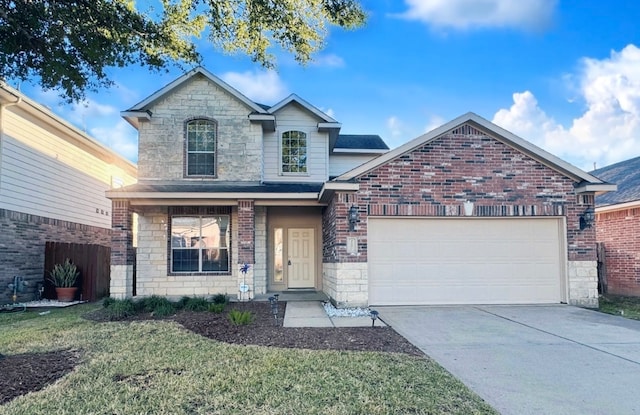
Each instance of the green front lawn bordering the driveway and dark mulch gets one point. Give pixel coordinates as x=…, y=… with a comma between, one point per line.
x=158, y=367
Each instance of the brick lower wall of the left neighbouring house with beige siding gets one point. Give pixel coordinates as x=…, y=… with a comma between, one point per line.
x=22, y=245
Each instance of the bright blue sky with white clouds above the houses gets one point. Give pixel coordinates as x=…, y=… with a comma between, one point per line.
x=562, y=74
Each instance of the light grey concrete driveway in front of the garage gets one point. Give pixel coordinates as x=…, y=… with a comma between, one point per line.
x=532, y=359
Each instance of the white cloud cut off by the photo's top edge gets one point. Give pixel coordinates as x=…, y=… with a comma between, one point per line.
x=464, y=14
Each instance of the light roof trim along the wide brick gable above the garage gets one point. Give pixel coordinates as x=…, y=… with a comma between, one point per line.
x=587, y=182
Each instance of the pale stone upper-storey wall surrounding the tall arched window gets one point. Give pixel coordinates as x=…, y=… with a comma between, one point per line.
x=161, y=139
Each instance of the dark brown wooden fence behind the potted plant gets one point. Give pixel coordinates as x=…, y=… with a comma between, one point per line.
x=93, y=262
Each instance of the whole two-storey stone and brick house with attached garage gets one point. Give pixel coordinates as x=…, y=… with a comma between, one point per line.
x=467, y=213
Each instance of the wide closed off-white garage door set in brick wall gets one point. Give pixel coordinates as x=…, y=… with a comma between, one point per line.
x=465, y=261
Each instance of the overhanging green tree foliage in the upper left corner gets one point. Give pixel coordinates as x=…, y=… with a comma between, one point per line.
x=70, y=44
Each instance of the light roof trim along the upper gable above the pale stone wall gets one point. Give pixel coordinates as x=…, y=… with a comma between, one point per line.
x=141, y=109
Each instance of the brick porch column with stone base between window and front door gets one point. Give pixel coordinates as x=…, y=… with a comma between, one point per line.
x=246, y=248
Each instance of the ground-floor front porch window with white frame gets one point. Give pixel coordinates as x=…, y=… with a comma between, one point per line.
x=200, y=244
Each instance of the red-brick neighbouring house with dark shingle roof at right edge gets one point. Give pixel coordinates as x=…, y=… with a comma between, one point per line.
x=618, y=226
